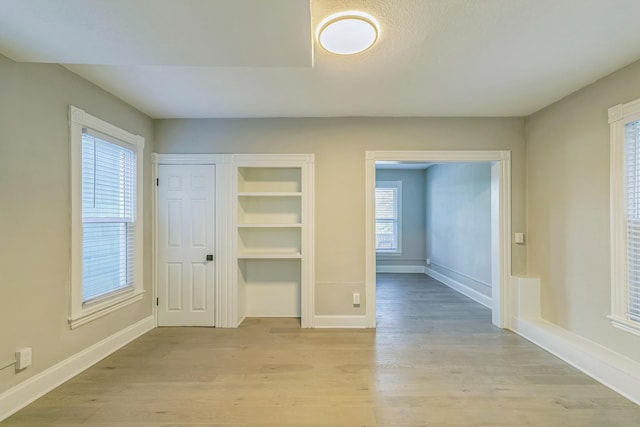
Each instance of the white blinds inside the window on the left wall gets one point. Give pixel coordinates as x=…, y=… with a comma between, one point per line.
x=108, y=215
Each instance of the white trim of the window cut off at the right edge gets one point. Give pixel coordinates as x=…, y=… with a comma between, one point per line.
x=619, y=116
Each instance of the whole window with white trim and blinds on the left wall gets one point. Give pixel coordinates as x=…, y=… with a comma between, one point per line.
x=106, y=194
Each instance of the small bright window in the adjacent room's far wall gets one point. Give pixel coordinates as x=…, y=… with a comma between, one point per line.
x=388, y=213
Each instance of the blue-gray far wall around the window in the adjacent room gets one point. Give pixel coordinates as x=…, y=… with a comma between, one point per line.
x=413, y=214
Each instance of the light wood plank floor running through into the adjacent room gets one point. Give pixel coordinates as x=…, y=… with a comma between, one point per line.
x=435, y=360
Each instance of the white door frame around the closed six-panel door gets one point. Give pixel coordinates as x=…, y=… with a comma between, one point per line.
x=222, y=173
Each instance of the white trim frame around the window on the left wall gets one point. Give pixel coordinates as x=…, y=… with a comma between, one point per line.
x=80, y=313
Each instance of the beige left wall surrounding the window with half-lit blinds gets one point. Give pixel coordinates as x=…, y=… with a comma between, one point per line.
x=35, y=213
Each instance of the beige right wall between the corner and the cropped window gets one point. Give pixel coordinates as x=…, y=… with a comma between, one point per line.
x=568, y=209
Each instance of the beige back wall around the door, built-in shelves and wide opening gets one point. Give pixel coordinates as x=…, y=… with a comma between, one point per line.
x=339, y=145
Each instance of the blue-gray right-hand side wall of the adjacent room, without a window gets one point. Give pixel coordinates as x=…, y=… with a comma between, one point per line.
x=459, y=223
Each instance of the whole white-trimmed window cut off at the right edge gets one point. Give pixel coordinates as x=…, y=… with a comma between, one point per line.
x=625, y=216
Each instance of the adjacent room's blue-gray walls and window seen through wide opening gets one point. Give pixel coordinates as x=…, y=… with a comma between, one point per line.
x=436, y=219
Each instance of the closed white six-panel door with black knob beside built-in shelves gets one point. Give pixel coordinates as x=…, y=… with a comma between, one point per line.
x=186, y=234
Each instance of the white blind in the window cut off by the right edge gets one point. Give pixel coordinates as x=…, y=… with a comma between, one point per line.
x=632, y=196
